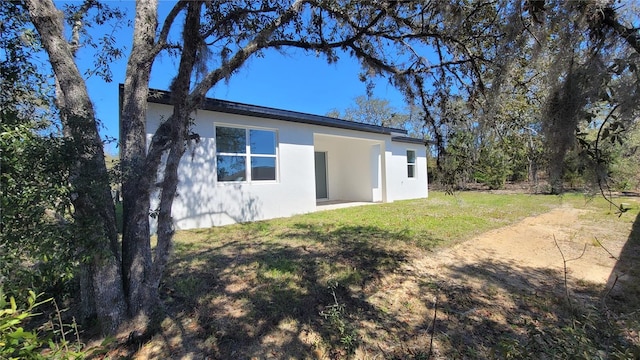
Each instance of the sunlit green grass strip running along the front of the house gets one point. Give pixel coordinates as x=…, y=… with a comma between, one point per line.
x=440, y=220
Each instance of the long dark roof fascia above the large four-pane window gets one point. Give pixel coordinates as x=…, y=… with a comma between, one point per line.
x=230, y=107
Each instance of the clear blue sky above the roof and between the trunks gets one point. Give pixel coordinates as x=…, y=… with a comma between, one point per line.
x=293, y=81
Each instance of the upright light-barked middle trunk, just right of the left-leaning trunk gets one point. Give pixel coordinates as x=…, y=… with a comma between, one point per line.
x=138, y=179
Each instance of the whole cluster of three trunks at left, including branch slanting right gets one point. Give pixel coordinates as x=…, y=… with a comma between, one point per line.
x=139, y=274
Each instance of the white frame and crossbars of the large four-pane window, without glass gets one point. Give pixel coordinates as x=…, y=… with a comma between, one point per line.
x=247, y=154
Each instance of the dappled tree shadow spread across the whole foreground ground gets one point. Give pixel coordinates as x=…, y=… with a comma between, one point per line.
x=271, y=295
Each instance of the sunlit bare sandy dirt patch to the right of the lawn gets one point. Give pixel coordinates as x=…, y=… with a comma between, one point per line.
x=530, y=244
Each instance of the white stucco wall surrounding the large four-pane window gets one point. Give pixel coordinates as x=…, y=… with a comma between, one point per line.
x=203, y=201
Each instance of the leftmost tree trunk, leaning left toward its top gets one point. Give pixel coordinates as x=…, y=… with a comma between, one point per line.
x=94, y=212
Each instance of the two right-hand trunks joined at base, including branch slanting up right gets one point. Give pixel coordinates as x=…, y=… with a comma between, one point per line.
x=142, y=272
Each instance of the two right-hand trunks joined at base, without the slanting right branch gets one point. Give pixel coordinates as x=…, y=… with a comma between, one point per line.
x=141, y=165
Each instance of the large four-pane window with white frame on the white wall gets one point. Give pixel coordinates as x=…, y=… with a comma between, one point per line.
x=245, y=154
